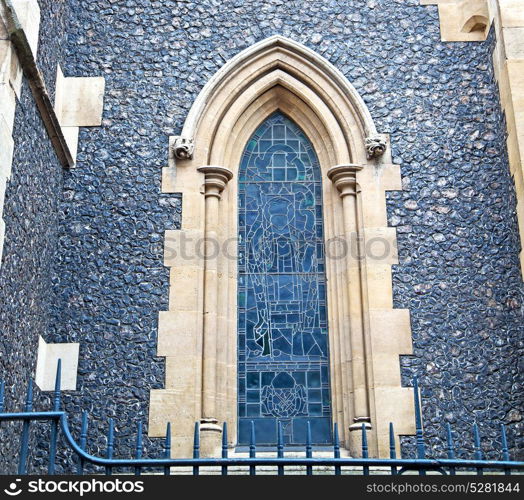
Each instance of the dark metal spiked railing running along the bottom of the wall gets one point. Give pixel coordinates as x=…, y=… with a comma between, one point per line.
x=225, y=464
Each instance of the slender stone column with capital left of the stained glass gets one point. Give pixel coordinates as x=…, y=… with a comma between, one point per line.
x=216, y=179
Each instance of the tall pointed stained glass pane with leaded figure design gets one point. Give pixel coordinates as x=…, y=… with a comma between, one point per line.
x=283, y=356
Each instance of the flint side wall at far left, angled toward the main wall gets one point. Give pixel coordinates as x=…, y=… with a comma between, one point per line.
x=31, y=237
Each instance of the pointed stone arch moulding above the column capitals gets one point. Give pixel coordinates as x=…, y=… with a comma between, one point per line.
x=280, y=62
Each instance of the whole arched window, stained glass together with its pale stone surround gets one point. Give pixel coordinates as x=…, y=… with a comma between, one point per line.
x=228, y=322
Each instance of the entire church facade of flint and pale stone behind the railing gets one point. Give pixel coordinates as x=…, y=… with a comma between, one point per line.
x=272, y=212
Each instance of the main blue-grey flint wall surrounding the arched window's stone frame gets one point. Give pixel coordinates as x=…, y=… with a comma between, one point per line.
x=458, y=242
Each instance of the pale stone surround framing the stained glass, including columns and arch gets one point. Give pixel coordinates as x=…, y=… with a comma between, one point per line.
x=198, y=334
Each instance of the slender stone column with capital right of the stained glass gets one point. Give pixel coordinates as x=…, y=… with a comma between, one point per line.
x=344, y=179
